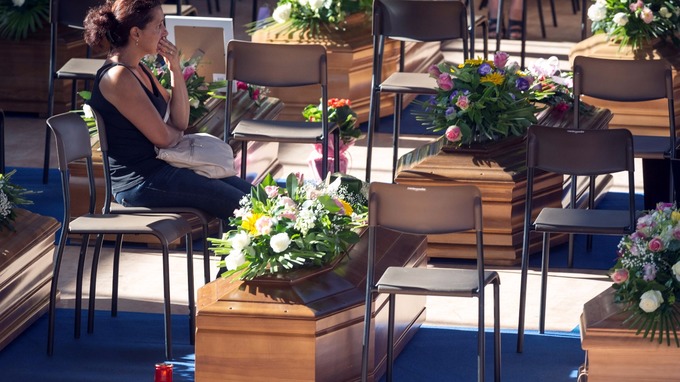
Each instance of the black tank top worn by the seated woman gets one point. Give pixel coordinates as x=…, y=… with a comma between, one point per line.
x=131, y=154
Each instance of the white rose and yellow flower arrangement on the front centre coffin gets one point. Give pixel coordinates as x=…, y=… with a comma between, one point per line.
x=303, y=224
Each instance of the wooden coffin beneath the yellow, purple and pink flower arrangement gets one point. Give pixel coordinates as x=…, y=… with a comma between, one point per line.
x=499, y=171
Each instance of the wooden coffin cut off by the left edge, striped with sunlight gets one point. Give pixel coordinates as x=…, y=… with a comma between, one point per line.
x=25, y=272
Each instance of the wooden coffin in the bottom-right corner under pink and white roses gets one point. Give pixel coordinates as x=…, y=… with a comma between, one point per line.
x=615, y=353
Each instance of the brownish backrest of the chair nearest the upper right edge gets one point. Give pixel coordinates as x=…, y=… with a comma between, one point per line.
x=645, y=80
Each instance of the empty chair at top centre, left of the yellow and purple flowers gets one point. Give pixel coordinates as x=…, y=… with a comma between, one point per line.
x=411, y=20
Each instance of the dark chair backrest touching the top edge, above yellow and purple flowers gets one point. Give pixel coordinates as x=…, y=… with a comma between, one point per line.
x=420, y=20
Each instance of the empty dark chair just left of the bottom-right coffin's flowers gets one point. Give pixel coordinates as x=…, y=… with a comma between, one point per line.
x=572, y=153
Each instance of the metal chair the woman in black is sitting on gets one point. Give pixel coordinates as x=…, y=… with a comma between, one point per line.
x=202, y=218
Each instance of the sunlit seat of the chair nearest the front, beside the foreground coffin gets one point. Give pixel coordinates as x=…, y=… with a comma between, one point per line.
x=433, y=282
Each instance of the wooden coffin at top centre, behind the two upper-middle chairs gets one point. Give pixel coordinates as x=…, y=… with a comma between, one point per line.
x=350, y=66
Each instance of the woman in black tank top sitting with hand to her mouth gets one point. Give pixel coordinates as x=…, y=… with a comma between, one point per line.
x=135, y=108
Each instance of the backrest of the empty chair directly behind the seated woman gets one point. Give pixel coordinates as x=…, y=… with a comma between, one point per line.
x=72, y=139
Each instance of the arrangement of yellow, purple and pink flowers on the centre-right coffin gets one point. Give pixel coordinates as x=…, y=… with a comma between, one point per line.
x=480, y=101
